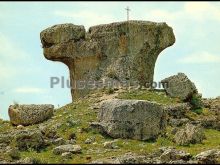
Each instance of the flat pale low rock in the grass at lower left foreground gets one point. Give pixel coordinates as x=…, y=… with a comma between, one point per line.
x=67, y=148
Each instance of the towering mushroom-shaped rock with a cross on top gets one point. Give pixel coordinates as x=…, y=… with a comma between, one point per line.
x=122, y=50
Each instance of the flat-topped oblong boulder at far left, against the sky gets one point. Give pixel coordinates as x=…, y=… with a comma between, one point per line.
x=29, y=114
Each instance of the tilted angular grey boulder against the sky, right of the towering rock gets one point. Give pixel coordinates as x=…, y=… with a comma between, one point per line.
x=179, y=86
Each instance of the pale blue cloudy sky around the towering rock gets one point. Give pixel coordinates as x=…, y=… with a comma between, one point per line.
x=25, y=73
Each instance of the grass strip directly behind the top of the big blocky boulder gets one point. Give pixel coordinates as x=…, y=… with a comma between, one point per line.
x=149, y=95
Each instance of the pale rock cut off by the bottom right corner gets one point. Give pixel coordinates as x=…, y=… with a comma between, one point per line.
x=209, y=157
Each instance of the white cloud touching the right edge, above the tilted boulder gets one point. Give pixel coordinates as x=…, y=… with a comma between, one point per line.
x=201, y=58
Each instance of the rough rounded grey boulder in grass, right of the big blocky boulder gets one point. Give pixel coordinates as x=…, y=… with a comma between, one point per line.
x=191, y=134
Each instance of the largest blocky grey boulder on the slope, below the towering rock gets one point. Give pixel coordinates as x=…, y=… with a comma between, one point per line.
x=135, y=119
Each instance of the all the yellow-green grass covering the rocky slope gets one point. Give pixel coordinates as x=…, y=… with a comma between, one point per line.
x=75, y=118
